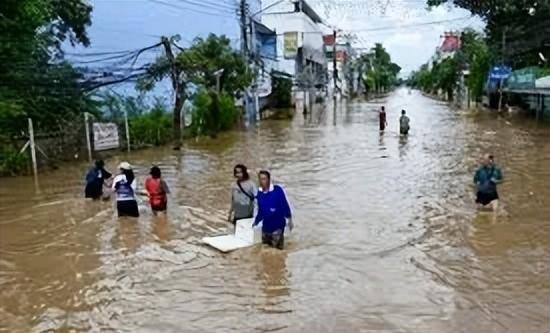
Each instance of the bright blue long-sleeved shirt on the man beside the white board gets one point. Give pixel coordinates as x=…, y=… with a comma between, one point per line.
x=273, y=210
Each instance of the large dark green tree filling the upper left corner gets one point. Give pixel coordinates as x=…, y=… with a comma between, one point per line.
x=36, y=82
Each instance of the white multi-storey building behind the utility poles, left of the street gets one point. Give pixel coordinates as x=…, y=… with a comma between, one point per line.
x=299, y=37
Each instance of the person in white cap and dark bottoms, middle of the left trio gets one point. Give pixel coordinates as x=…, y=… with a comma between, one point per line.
x=124, y=185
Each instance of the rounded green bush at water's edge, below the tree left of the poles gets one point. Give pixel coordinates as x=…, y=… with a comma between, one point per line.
x=213, y=113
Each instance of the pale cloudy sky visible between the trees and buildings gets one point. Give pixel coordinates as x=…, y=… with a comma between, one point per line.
x=131, y=24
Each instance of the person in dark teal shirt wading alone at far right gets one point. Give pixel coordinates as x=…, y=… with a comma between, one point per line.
x=486, y=179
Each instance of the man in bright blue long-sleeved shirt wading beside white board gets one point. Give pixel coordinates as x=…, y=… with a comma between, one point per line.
x=273, y=211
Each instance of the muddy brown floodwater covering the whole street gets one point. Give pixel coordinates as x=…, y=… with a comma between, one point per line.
x=387, y=240
